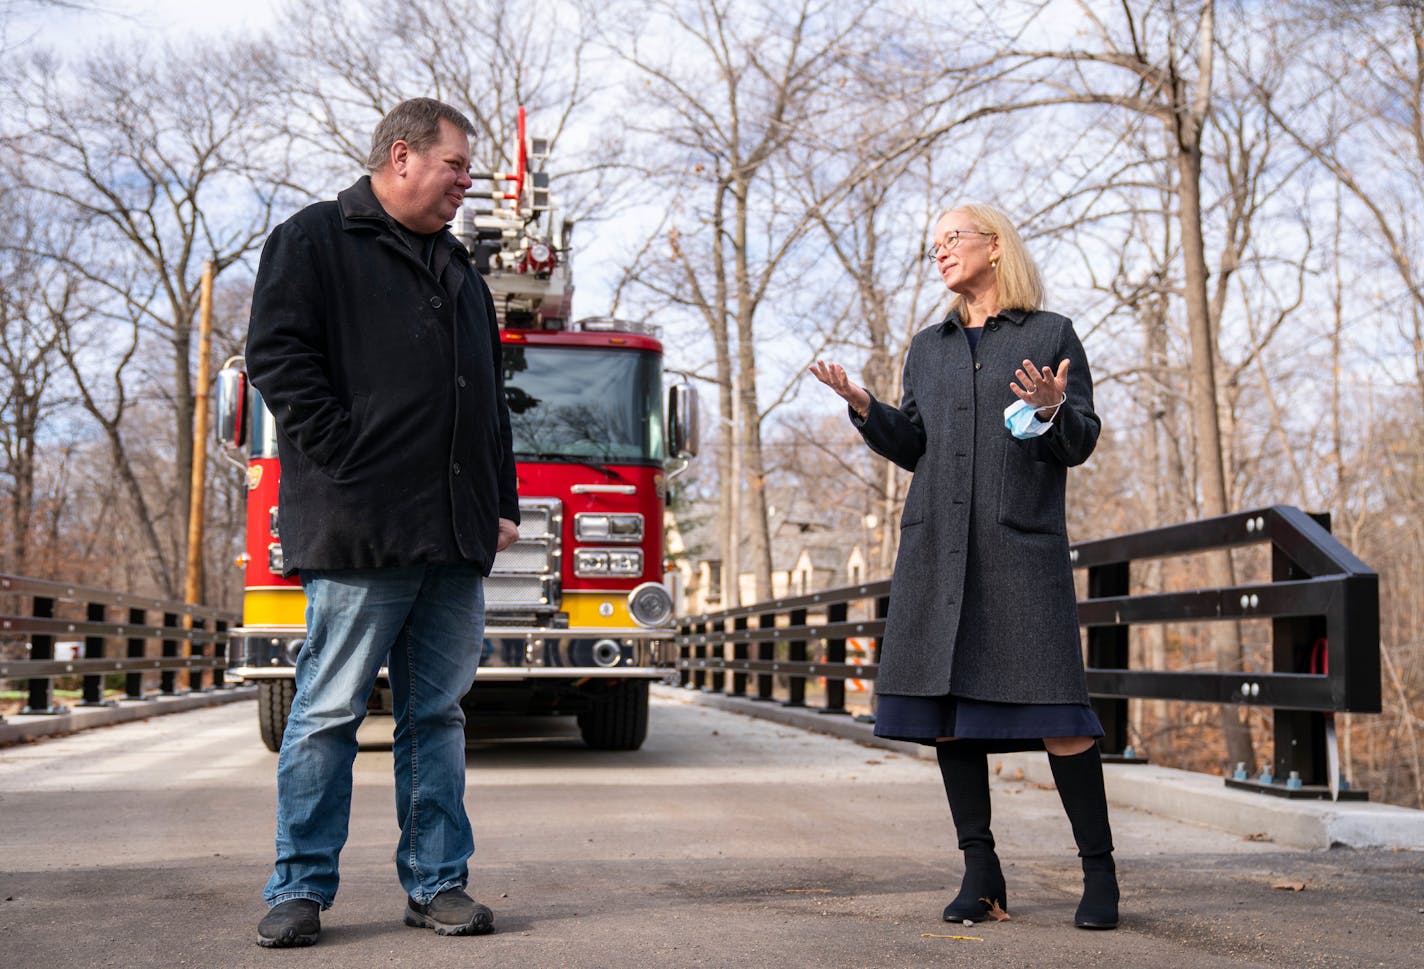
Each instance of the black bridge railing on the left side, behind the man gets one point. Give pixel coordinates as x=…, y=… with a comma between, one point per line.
x=122, y=635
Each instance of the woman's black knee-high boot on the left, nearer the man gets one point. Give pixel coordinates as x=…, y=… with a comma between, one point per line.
x=966, y=783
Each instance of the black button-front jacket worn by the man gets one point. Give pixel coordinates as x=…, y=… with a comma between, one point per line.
x=385, y=381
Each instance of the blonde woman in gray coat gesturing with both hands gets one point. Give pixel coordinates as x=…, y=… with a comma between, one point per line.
x=982, y=649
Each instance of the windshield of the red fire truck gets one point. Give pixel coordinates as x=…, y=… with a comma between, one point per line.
x=585, y=403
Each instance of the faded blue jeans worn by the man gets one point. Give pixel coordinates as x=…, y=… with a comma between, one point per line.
x=426, y=623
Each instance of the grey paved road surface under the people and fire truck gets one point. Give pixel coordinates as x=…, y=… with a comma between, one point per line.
x=727, y=841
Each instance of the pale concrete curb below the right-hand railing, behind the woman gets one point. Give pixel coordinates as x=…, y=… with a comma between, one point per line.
x=1184, y=796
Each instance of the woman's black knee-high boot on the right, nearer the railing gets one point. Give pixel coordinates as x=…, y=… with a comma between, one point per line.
x=1080, y=787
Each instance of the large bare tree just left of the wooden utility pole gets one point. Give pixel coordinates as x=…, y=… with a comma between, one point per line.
x=160, y=160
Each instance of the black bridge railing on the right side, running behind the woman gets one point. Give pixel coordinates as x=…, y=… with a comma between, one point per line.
x=1324, y=606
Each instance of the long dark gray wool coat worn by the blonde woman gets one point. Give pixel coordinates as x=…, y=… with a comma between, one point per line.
x=982, y=603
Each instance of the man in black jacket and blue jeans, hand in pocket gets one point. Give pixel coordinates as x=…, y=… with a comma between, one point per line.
x=375, y=346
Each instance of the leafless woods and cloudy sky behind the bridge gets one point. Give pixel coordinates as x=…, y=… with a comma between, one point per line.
x=1228, y=199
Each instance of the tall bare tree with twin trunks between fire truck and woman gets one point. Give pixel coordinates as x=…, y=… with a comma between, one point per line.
x=730, y=86
